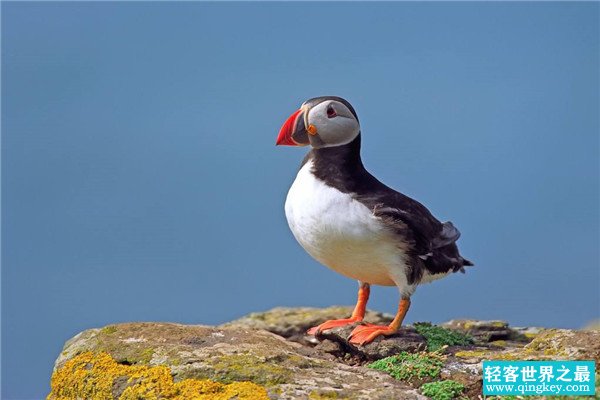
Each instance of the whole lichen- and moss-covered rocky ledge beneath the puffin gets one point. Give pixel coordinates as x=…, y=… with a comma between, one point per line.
x=268, y=356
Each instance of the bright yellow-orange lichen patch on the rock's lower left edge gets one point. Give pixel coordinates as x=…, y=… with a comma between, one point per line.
x=98, y=376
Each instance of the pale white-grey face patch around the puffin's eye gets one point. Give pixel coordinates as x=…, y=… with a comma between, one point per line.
x=335, y=124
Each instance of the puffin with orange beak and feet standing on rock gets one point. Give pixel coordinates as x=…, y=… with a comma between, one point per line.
x=349, y=221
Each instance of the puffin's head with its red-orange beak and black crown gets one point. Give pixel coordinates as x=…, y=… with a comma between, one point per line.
x=321, y=122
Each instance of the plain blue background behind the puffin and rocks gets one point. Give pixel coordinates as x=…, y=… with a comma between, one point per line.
x=140, y=181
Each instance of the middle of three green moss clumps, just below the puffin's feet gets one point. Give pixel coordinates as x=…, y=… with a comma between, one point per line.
x=410, y=367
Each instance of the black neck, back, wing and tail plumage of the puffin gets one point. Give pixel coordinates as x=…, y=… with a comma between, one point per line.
x=432, y=244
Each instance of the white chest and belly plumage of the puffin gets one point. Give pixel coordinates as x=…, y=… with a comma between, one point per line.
x=340, y=232
